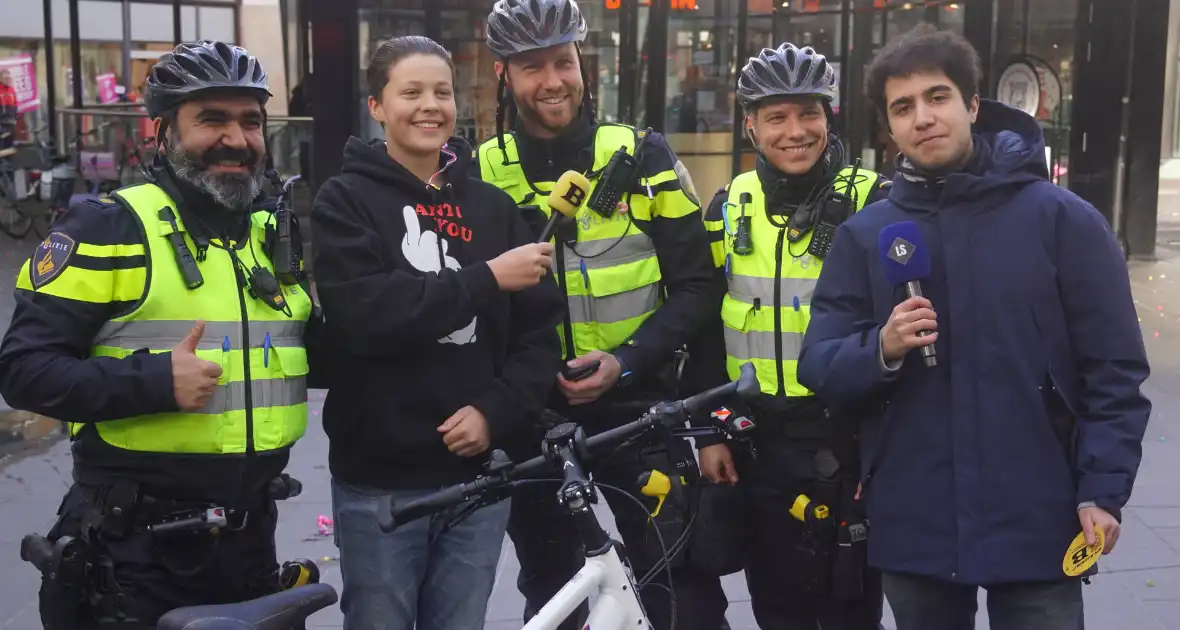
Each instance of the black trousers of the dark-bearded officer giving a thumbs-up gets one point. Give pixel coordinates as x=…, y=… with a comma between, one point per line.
x=152, y=575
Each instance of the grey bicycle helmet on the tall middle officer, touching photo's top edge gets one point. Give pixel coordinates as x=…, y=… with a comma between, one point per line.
x=516, y=27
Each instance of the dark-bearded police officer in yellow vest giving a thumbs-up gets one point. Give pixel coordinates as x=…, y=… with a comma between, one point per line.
x=159, y=325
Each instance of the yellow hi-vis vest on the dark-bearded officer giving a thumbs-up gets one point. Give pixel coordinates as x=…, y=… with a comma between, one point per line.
x=261, y=398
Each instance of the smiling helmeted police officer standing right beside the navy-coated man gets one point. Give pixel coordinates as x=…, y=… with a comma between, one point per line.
x=770, y=231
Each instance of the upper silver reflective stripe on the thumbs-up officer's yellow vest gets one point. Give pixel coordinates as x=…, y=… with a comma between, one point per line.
x=163, y=336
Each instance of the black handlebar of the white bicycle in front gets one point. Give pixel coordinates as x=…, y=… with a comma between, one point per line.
x=665, y=415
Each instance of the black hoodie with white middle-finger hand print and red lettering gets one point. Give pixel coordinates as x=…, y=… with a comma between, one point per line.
x=416, y=325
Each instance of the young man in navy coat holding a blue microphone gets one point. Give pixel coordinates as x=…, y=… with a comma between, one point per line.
x=980, y=470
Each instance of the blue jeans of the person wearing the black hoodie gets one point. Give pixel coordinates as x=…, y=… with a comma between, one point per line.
x=414, y=577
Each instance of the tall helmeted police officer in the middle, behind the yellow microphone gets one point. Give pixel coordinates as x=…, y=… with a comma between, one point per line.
x=635, y=267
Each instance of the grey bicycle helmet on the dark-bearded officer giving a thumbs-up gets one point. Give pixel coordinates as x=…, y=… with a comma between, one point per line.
x=192, y=69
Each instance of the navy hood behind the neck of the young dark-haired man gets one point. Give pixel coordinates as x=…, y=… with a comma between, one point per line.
x=1009, y=153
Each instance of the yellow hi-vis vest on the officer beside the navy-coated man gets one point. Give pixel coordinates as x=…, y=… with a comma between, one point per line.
x=762, y=326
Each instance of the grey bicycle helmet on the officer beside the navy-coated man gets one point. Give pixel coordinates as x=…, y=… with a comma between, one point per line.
x=786, y=73
